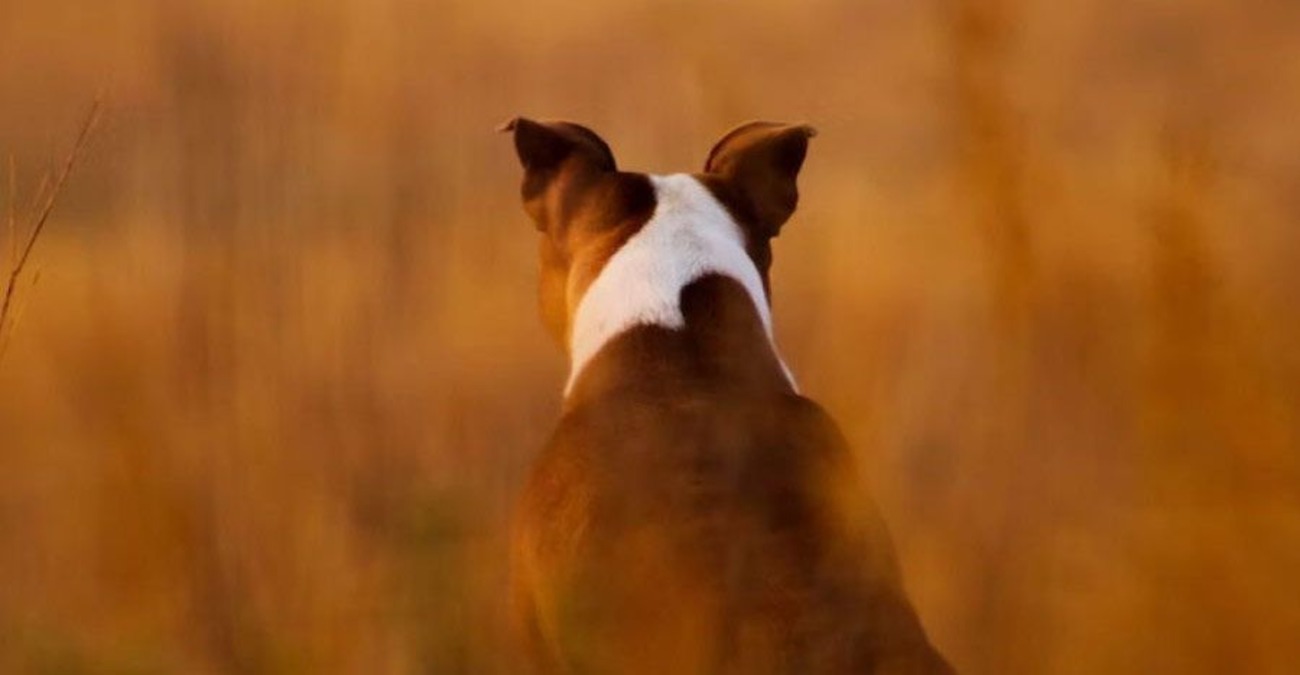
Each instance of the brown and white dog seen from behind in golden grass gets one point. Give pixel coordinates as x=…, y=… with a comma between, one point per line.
x=692, y=513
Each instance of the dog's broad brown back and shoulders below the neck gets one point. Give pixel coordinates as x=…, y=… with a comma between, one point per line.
x=714, y=535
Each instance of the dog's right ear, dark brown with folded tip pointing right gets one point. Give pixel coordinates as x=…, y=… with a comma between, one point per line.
x=760, y=163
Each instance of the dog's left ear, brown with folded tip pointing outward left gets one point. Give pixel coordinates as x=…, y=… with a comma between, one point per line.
x=560, y=159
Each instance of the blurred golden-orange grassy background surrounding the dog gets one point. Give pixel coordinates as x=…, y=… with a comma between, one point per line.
x=278, y=370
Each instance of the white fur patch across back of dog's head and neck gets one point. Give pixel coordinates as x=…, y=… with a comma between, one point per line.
x=691, y=235
